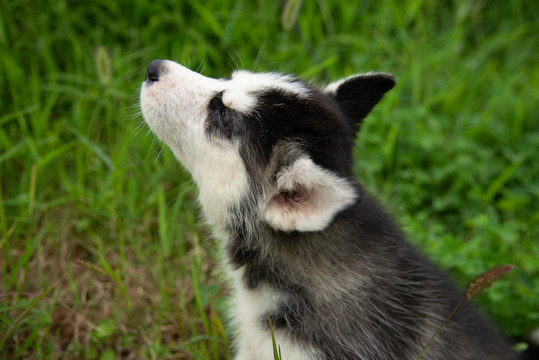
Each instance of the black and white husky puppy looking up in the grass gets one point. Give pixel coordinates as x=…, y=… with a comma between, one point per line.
x=304, y=244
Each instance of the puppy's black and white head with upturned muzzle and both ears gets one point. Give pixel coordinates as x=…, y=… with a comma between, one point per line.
x=268, y=140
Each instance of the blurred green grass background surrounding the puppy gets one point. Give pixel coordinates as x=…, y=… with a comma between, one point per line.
x=102, y=255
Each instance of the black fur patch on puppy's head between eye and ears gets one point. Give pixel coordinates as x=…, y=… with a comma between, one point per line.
x=314, y=123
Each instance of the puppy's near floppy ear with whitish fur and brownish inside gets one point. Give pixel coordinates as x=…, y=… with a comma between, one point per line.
x=306, y=197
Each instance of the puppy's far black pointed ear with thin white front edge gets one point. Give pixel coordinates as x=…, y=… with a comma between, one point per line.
x=357, y=94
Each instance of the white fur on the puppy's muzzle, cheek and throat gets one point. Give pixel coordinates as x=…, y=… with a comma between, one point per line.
x=175, y=108
